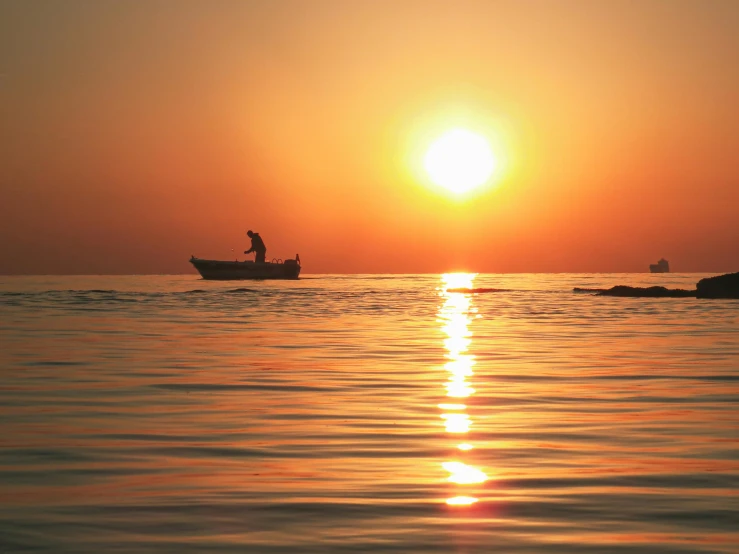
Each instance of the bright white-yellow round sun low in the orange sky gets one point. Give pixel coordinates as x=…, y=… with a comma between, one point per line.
x=460, y=160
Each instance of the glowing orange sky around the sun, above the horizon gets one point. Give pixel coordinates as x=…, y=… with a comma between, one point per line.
x=133, y=134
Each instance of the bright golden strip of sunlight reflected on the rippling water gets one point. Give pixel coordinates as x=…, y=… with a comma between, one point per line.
x=454, y=315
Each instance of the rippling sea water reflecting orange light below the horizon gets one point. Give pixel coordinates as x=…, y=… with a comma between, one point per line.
x=366, y=414
